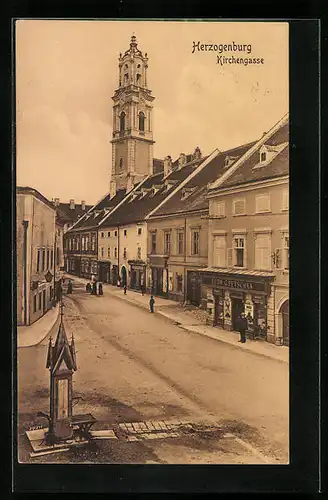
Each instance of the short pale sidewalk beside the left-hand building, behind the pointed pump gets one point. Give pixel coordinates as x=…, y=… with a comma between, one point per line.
x=28, y=336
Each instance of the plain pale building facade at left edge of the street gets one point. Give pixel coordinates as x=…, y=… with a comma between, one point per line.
x=36, y=254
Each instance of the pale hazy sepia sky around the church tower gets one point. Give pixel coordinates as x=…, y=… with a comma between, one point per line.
x=67, y=72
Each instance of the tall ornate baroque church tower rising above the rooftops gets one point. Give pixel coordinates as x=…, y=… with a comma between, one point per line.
x=132, y=141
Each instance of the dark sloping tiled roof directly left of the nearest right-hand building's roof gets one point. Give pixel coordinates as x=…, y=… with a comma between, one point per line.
x=197, y=199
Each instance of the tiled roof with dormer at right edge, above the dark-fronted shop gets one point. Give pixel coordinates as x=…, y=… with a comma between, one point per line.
x=277, y=167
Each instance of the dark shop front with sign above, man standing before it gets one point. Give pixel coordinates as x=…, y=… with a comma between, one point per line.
x=230, y=294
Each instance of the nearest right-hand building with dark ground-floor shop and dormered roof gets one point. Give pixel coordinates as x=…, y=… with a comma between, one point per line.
x=249, y=242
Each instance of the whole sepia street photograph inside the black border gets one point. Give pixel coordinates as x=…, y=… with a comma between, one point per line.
x=152, y=242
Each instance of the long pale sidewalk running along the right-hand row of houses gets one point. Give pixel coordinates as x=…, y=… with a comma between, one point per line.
x=187, y=320
